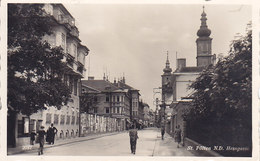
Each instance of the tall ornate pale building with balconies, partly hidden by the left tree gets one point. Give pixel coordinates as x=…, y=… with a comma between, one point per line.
x=66, y=35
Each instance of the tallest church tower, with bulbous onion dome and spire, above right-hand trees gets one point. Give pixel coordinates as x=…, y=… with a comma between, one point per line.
x=204, y=55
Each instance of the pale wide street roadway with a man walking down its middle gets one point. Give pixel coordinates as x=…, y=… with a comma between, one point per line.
x=148, y=144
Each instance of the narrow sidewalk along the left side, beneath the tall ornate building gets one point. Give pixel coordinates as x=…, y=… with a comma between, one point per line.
x=60, y=142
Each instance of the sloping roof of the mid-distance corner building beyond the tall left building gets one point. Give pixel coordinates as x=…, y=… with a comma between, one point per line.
x=101, y=85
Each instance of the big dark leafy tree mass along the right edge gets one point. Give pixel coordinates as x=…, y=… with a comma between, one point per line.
x=222, y=104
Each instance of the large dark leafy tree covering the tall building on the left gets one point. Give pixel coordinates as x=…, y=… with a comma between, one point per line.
x=35, y=69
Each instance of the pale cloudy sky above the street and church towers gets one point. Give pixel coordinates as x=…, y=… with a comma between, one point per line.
x=132, y=39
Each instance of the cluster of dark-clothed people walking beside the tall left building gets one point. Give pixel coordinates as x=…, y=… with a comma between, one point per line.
x=40, y=137
